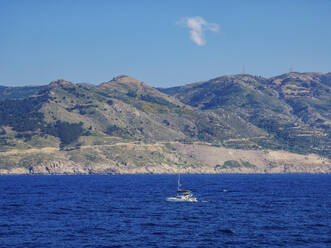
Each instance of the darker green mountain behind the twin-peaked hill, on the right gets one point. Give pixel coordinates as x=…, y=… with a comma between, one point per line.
x=292, y=109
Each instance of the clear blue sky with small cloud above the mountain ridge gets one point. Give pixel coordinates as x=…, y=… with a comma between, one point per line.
x=163, y=43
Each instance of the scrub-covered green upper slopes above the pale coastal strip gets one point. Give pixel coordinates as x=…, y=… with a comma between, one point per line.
x=289, y=112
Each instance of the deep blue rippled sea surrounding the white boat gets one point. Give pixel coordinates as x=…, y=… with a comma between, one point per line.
x=132, y=211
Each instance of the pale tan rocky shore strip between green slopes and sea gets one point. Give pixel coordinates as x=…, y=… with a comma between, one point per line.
x=160, y=159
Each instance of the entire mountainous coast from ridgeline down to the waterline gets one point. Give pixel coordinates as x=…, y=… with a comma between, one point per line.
x=126, y=126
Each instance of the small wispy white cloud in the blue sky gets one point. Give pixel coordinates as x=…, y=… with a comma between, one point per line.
x=197, y=26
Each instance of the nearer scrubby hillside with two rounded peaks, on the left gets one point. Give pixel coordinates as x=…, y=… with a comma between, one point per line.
x=121, y=109
